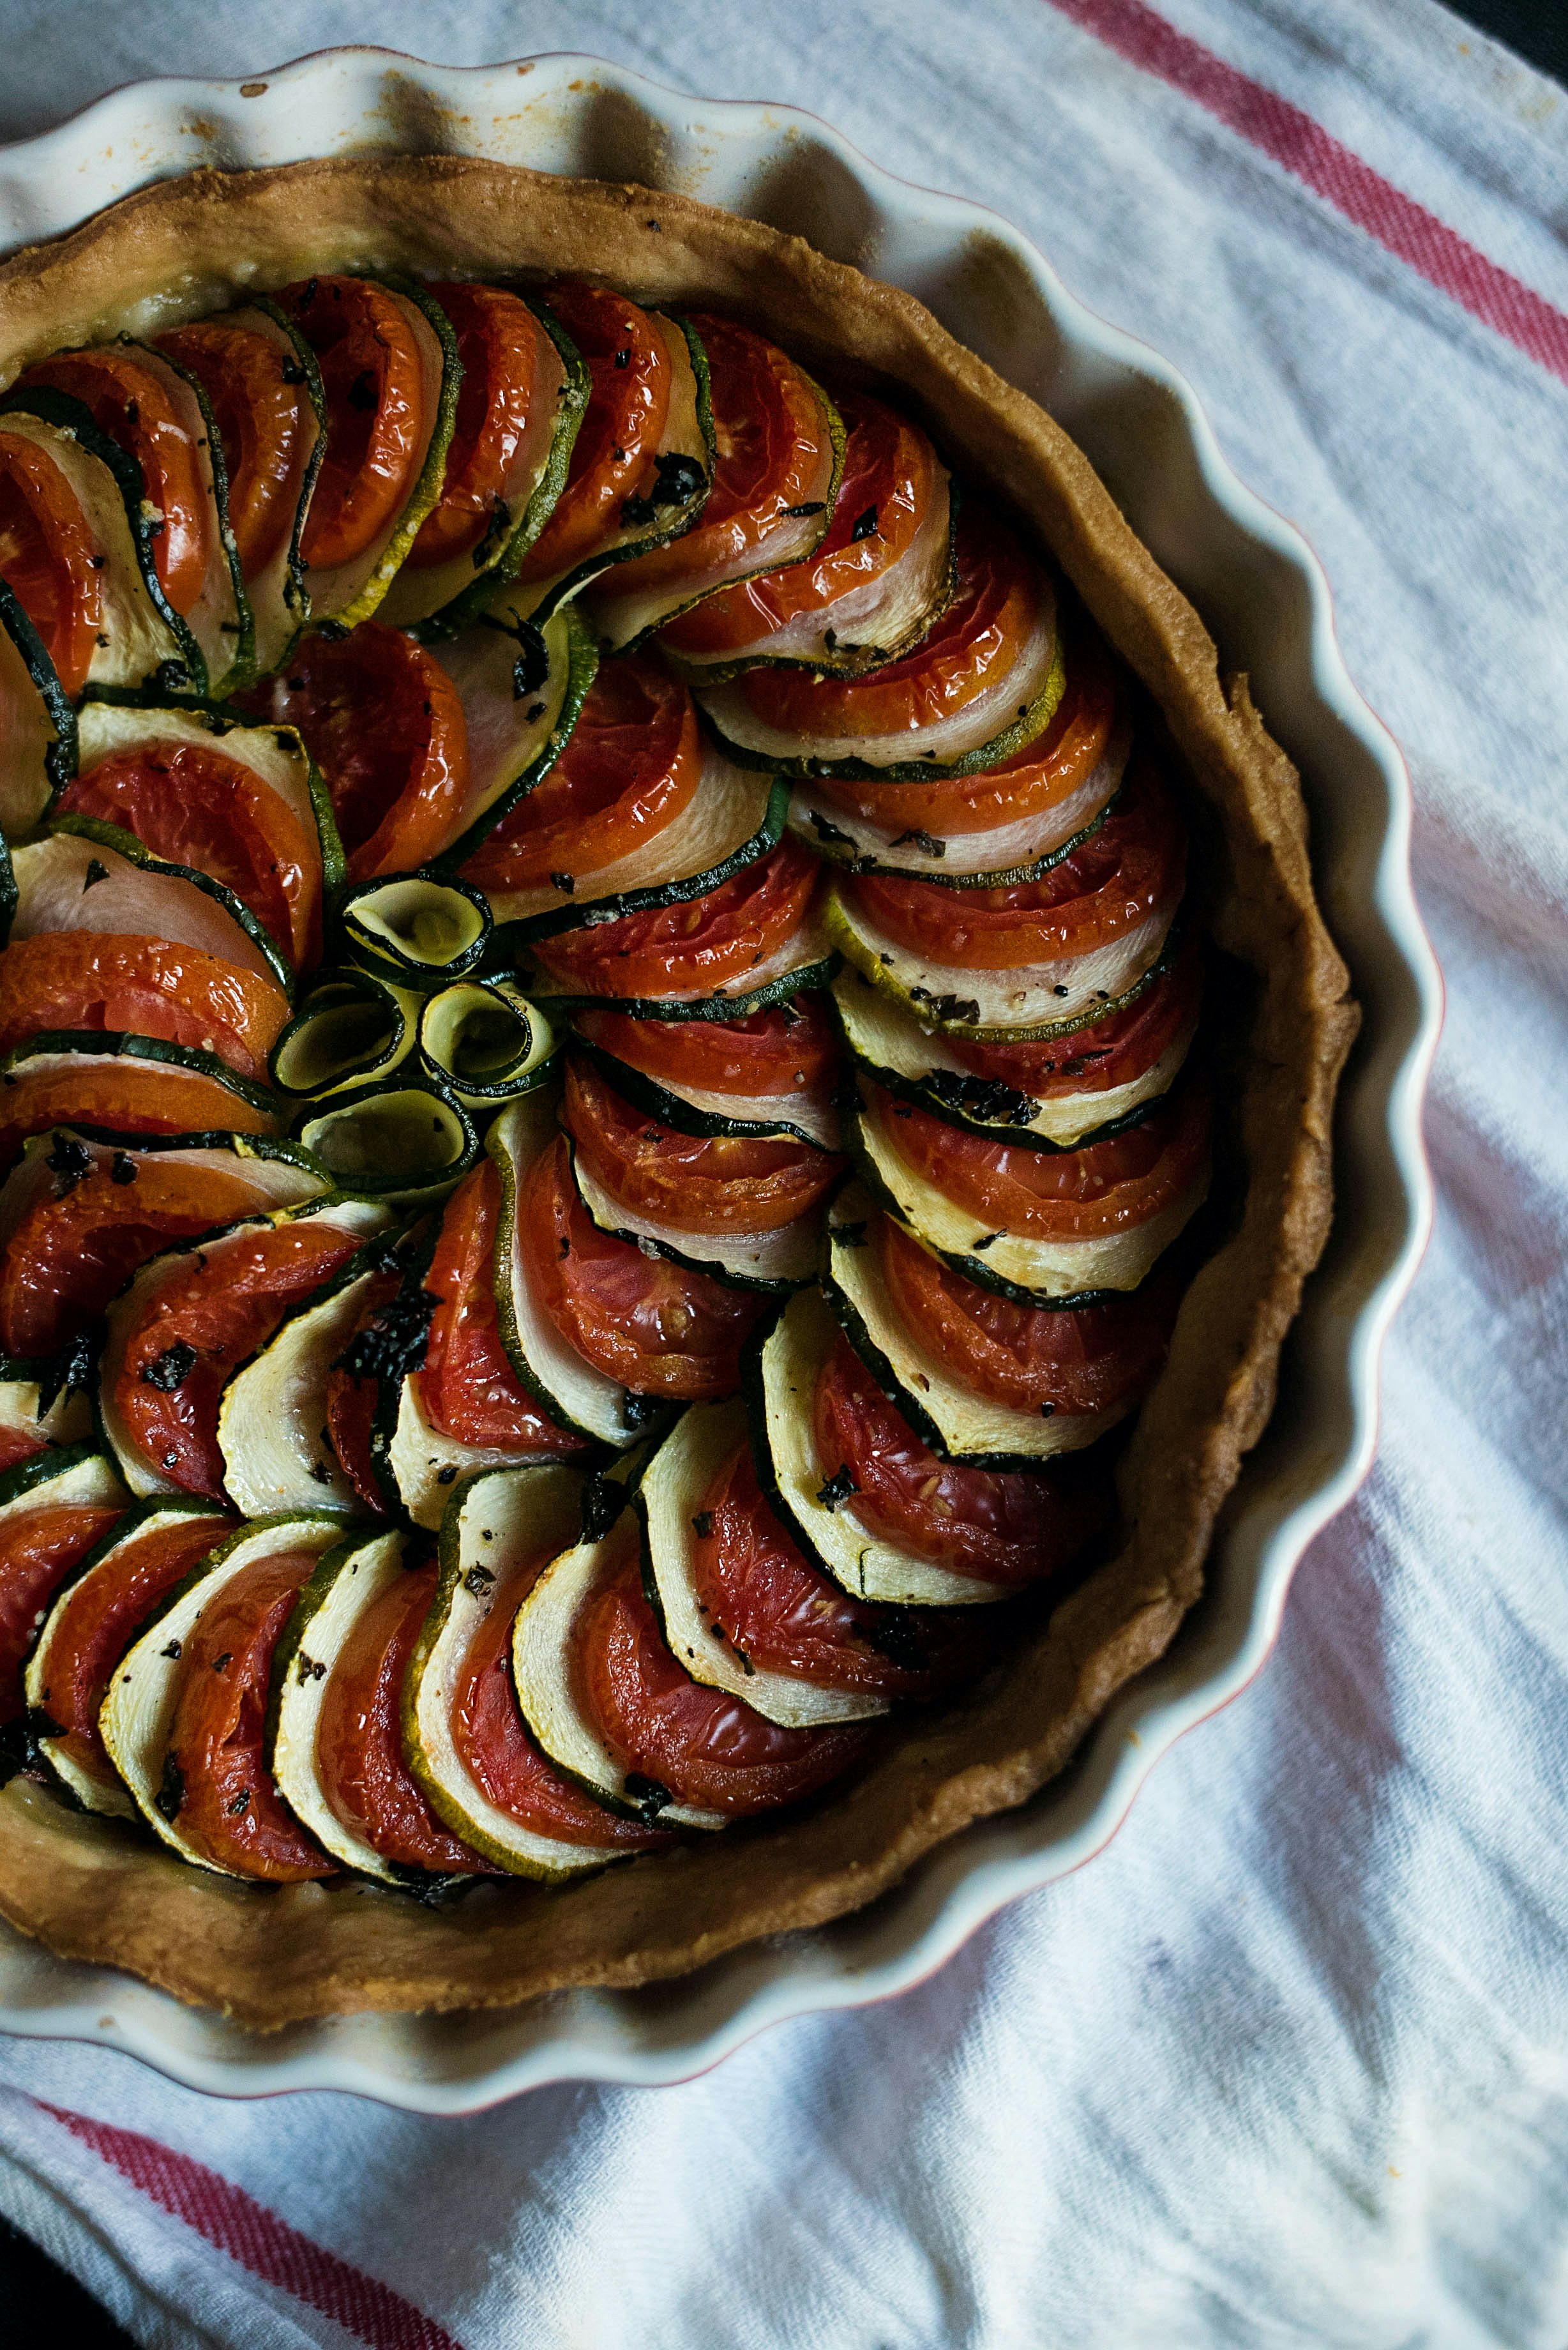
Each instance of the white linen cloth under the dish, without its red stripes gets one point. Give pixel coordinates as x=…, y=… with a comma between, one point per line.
x=1289, y=2062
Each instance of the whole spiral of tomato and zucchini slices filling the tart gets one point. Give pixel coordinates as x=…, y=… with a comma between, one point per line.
x=596, y=1106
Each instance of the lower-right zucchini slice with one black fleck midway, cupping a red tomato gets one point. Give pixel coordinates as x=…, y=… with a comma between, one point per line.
x=782, y=1402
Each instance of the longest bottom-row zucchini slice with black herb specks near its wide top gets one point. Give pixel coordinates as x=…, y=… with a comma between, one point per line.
x=497, y=1531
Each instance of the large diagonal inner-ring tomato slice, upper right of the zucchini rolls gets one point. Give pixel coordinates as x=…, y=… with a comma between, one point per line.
x=631, y=767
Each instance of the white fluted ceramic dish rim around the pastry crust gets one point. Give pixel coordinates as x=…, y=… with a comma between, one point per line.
x=1123, y=401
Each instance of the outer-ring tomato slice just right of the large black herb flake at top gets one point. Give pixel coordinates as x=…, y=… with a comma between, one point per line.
x=772, y=452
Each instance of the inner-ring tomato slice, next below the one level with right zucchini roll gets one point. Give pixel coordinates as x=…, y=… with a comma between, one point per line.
x=692, y=1183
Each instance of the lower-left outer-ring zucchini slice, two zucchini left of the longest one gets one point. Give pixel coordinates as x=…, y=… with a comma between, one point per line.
x=142, y=1698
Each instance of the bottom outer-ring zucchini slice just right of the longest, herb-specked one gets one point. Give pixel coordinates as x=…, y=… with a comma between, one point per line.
x=547, y=1681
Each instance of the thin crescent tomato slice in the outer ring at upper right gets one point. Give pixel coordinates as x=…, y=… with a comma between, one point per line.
x=1036, y=779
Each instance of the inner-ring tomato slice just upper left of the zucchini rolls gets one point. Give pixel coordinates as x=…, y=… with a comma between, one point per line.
x=217, y=817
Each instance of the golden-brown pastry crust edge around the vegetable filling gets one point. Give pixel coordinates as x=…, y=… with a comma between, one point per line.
x=88, y=1888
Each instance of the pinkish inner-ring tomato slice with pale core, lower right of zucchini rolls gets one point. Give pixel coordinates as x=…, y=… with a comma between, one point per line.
x=645, y=1322
